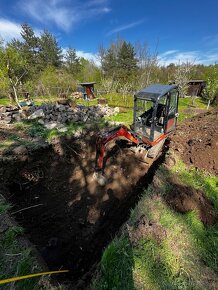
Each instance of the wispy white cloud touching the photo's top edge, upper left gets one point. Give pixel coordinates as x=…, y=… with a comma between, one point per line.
x=64, y=14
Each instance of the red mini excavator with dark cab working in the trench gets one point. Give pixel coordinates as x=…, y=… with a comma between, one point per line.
x=154, y=118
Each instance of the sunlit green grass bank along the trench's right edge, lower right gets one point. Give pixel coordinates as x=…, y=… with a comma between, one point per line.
x=179, y=252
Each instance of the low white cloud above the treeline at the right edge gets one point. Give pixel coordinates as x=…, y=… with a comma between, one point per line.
x=196, y=57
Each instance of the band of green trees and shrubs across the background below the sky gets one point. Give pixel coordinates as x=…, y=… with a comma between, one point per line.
x=125, y=67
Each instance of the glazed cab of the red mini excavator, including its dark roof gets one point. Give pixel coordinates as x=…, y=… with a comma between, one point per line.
x=155, y=111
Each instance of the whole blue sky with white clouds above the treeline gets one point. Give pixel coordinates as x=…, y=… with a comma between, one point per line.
x=181, y=30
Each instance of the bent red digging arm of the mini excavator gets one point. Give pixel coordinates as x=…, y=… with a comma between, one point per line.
x=103, y=139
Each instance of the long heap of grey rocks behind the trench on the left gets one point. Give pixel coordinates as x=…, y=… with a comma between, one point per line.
x=56, y=113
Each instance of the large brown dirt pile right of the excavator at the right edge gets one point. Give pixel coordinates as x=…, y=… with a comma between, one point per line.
x=196, y=141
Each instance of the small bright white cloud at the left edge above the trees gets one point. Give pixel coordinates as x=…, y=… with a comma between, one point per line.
x=9, y=29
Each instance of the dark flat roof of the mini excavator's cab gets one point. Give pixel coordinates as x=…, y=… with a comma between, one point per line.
x=154, y=92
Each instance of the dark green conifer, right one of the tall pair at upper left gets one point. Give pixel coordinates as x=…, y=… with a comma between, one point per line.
x=50, y=53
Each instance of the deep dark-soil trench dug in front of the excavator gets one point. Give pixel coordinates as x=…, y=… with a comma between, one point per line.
x=66, y=214
